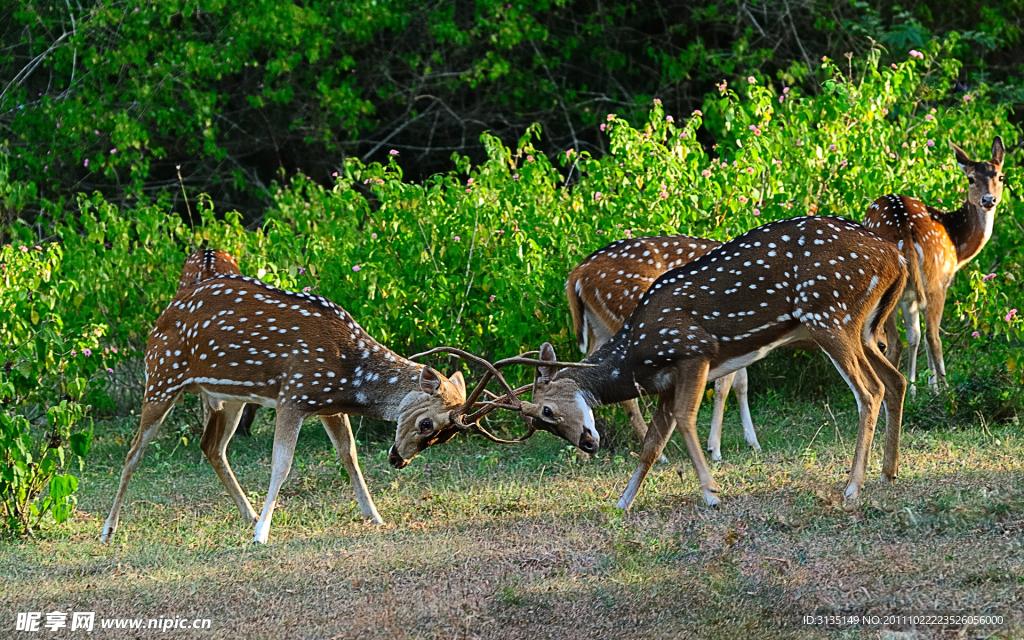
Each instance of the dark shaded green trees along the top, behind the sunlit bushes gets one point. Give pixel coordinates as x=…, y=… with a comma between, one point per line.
x=114, y=96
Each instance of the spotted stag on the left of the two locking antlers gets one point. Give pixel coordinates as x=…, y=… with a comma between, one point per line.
x=239, y=340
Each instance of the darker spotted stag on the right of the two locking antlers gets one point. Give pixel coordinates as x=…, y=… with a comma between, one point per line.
x=824, y=279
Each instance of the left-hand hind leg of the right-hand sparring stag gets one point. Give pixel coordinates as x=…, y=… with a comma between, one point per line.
x=854, y=365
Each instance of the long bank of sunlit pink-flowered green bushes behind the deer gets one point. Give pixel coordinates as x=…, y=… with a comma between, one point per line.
x=478, y=258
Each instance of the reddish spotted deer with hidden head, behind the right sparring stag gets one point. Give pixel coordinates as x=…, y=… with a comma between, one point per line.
x=604, y=291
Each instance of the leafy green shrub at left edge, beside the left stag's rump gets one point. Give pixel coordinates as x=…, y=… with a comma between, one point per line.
x=51, y=363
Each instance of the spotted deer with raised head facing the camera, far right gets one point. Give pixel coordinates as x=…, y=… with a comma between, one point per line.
x=937, y=244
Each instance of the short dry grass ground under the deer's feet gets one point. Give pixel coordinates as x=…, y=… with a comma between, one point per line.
x=489, y=542
